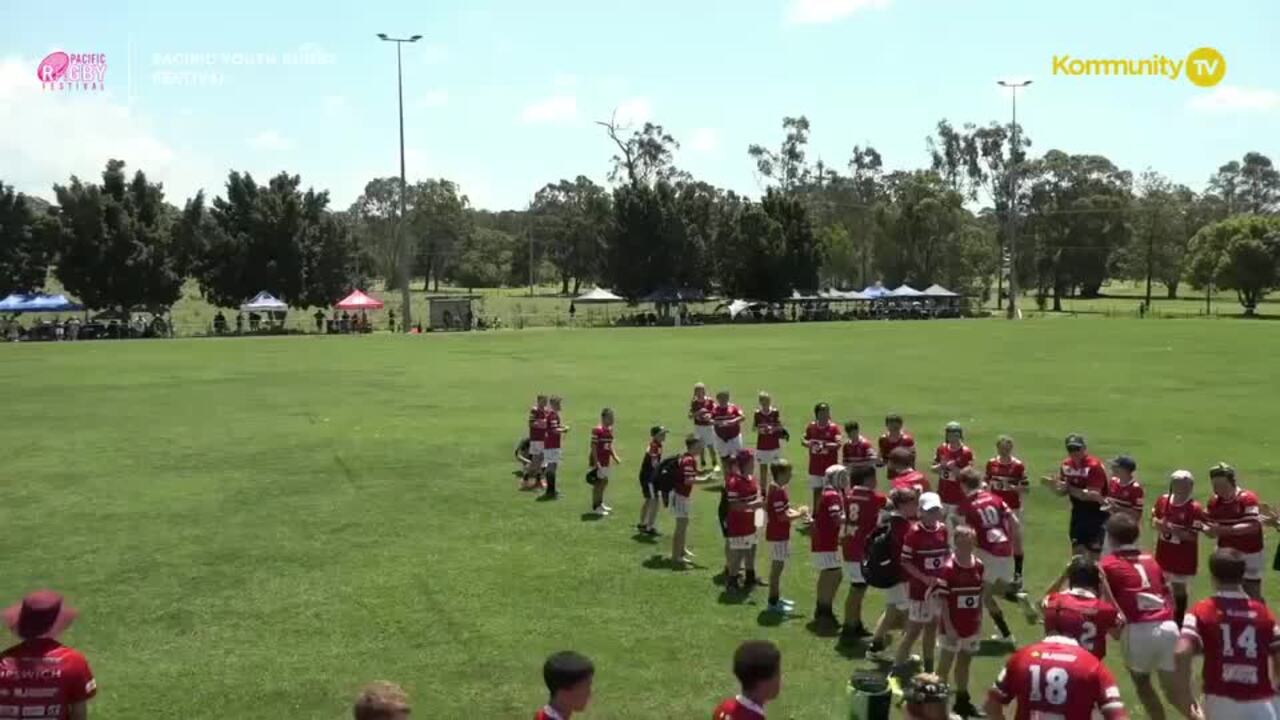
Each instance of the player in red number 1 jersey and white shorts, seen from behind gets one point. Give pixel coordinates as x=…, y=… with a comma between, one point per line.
x=1140, y=591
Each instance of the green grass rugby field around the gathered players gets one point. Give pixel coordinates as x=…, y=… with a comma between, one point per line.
x=254, y=528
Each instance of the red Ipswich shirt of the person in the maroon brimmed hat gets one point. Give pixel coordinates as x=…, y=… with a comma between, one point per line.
x=42, y=678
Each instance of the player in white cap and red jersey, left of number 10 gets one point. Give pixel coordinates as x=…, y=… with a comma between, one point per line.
x=926, y=549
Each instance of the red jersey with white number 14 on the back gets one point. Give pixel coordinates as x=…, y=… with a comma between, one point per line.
x=1238, y=637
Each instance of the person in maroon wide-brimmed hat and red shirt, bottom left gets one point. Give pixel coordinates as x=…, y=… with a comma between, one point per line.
x=42, y=676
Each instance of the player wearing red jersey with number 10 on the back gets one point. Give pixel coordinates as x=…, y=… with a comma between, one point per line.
x=998, y=532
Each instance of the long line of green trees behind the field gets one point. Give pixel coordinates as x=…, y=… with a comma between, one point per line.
x=1077, y=221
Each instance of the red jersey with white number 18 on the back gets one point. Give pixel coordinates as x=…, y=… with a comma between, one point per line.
x=1058, y=678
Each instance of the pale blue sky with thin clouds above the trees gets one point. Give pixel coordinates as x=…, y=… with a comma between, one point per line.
x=501, y=95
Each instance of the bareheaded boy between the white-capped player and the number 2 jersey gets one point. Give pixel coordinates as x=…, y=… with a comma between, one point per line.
x=961, y=590
